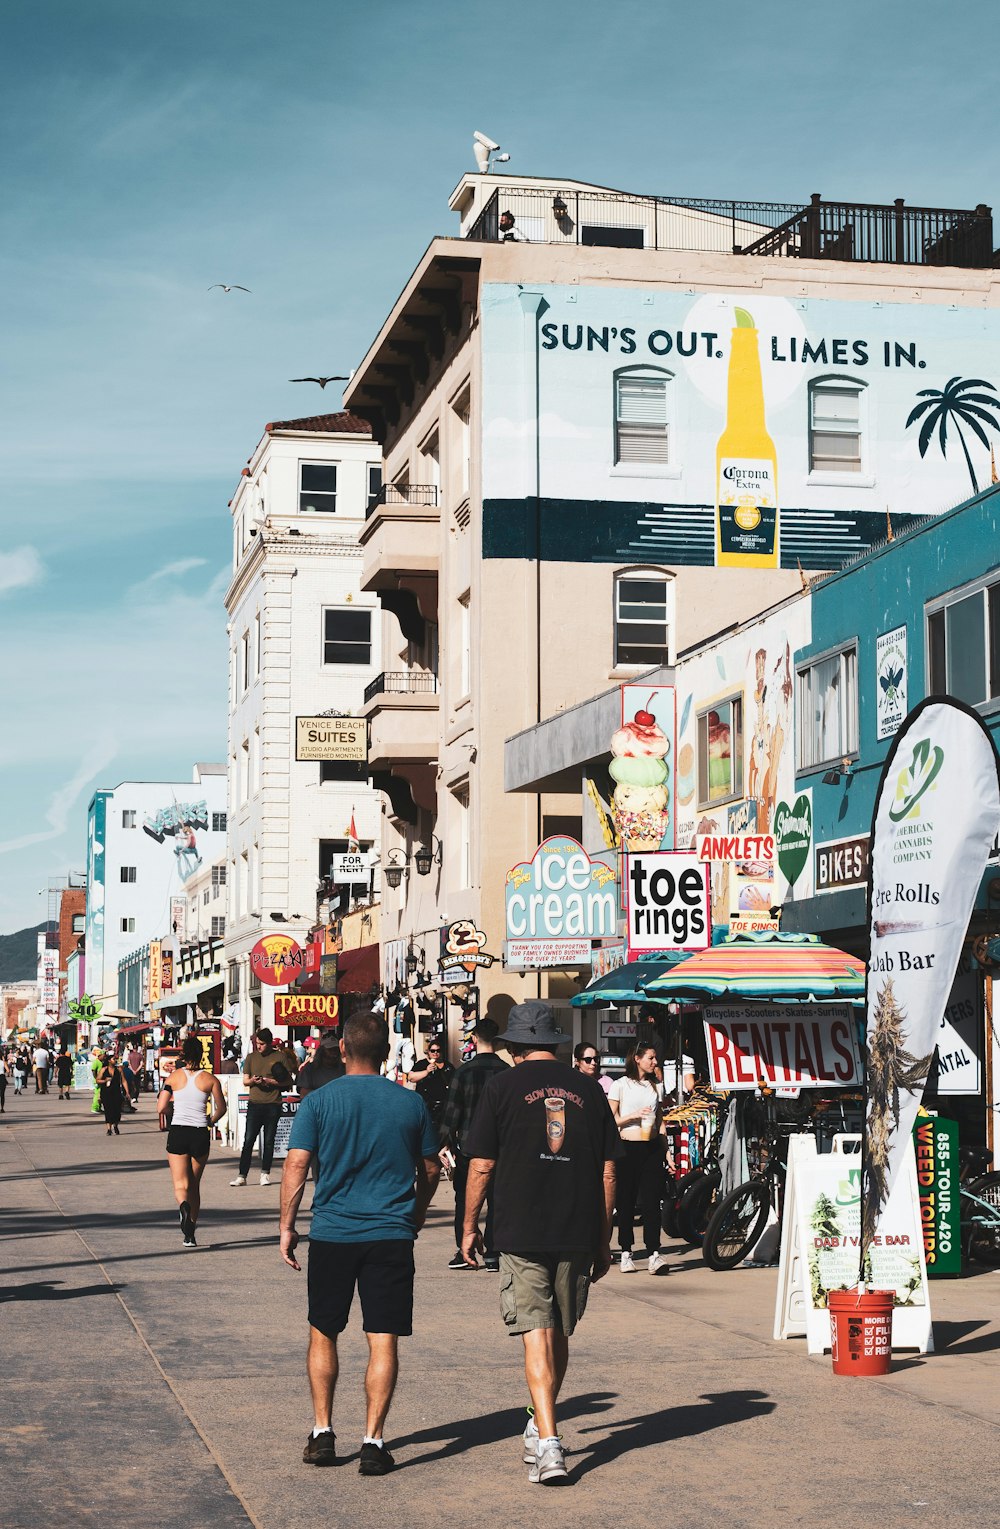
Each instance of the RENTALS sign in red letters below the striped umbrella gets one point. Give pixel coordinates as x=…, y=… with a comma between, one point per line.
x=814, y=1047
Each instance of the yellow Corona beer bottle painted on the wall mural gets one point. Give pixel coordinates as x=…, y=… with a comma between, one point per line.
x=747, y=464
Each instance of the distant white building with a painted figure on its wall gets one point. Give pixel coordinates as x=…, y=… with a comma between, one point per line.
x=146, y=840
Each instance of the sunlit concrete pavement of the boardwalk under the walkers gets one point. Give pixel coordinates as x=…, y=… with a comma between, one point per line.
x=146, y=1386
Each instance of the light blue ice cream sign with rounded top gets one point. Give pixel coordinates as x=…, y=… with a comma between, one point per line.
x=557, y=903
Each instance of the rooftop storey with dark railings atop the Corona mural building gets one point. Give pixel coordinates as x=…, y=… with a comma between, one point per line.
x=892, y=235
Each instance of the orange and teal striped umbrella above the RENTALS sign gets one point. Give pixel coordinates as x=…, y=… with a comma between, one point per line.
x=770, y=969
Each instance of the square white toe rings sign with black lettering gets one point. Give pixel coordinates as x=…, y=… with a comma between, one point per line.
x=667, y=903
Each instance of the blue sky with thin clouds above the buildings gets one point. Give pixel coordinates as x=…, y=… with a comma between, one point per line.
x=308, y=152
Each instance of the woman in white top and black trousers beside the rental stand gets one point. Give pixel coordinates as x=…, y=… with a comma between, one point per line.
x=637, y=1105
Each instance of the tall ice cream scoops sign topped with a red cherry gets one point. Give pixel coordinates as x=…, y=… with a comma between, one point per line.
x=641, y=802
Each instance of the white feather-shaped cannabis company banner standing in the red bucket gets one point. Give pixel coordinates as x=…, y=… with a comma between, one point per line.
x=937, y=814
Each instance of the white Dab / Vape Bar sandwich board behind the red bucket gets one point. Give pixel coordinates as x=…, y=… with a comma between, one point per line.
x=822, y=1239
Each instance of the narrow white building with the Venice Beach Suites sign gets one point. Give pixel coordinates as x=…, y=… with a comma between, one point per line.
x=305, y=643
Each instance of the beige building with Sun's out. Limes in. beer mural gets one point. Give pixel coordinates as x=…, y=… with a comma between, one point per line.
x=606, y=435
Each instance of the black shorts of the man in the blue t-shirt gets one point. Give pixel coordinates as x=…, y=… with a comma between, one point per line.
x=383, y=1274
